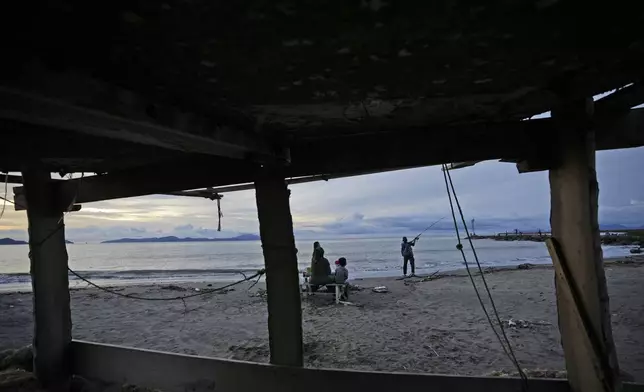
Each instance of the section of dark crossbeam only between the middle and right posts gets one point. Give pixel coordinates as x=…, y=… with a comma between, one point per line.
x=418, y=147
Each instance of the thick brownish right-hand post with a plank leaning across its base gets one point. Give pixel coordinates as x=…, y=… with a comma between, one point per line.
x=574, y=205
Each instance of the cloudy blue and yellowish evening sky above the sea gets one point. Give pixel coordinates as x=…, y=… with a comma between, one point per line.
x=394, y=203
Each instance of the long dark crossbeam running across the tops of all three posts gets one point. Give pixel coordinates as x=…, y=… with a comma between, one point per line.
x=347, y=156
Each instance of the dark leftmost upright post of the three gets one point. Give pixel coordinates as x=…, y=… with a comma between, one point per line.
x=48, y=257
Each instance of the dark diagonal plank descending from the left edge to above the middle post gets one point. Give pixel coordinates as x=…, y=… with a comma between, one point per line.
x=188, y=135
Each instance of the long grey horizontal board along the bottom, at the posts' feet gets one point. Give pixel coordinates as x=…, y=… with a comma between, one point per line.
x=178, y=373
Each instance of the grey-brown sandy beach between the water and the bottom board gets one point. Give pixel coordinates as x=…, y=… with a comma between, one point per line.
x=435, y=326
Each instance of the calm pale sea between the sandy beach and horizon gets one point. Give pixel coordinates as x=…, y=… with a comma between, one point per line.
x=142, y=263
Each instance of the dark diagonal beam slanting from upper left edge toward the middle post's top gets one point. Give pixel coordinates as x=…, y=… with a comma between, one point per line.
x=107, y=116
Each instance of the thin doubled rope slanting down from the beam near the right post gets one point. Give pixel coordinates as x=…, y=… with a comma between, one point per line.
x=509, y=352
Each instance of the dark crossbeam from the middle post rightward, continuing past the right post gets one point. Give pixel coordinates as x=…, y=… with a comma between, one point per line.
x=412, y=148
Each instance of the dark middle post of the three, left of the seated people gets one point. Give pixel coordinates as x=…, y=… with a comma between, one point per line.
x=282, y=280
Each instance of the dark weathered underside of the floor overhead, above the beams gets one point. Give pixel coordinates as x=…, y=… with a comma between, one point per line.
x=304, y=65
